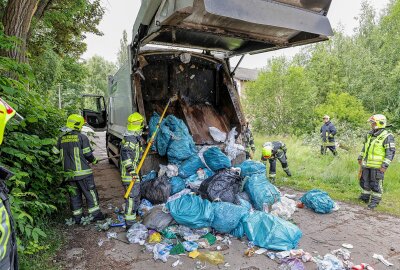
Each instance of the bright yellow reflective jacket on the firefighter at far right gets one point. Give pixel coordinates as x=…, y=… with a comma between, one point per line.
x=378, y=150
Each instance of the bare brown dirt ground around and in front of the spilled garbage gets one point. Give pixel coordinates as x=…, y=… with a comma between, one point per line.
x=369, y=233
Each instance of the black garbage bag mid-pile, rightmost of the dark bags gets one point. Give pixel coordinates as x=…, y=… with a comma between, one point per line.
x=222, y=186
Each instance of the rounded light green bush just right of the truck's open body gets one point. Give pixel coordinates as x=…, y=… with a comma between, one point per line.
x=275, y=102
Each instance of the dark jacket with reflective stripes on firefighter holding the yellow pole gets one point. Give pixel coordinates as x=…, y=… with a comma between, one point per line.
x=131, y=152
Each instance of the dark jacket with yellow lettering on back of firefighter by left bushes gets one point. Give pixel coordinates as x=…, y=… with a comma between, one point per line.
x=76, y=154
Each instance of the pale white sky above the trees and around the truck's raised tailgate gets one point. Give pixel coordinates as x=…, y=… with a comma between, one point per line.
x=120, y=15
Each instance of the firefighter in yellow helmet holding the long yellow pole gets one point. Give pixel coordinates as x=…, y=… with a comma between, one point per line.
x=131, y=152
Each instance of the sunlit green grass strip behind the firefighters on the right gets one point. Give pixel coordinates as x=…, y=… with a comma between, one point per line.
x=335, y=175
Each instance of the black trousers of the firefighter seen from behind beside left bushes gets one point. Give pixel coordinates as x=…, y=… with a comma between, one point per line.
x=87, y=188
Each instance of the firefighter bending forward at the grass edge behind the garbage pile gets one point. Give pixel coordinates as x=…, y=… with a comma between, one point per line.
x=272, y=151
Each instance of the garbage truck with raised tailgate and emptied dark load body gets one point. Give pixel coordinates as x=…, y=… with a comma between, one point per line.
x=184, y=48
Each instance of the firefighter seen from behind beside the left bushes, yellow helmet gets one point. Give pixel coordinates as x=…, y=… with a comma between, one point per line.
x=76, y=155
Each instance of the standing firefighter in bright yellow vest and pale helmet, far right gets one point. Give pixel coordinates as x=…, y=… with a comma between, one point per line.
x=375, y=157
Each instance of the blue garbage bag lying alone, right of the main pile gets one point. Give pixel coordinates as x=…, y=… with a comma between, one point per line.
x=318, y=200
